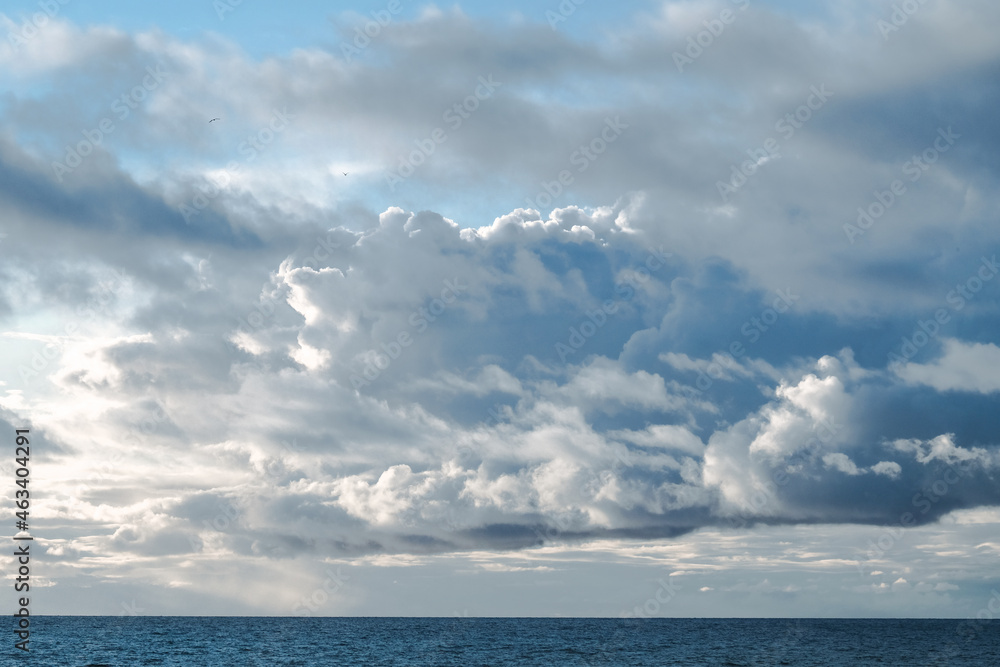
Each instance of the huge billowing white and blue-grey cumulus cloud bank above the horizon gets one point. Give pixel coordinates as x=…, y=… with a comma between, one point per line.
x=454, y=441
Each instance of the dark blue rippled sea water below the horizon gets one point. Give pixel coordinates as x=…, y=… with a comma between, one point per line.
x=93, y=641
